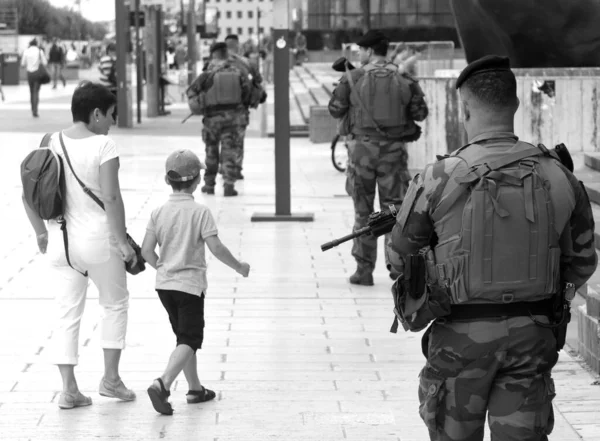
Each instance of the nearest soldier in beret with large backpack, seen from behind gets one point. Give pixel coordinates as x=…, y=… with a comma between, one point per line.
x=510, y=228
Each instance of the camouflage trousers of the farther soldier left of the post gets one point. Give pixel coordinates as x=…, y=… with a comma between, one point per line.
x=227, y=131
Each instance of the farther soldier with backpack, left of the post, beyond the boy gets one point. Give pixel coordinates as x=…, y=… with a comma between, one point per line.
x=225, y=90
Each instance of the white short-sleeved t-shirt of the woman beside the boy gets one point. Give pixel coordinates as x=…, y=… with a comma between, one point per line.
x=87, y=224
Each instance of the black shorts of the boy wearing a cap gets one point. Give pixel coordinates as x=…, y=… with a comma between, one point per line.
x=186, y=314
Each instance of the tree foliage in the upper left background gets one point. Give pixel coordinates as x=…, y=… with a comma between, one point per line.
x=40, y=17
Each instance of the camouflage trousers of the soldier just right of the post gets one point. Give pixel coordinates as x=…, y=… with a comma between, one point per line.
x=381, y=165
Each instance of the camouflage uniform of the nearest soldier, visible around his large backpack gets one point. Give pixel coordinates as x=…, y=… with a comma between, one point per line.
x=497, y=366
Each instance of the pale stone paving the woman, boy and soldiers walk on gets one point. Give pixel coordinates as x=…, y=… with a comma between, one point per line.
x=294, y=352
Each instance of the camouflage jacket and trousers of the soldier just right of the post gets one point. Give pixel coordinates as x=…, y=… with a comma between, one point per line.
x=376, y=162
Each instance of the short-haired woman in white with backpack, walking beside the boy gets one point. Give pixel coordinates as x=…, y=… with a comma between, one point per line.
x=72, y=181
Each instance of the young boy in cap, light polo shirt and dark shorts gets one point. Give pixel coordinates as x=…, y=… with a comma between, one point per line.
x=181, y=227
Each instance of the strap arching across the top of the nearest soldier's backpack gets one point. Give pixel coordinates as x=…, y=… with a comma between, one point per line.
x=484, y=169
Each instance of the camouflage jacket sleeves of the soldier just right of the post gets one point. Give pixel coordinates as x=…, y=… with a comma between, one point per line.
x=339, y=105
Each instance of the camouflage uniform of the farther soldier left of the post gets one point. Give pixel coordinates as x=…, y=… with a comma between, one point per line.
x=224, y=126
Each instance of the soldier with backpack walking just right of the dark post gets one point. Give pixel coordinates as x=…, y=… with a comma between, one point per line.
x=380, y=106
